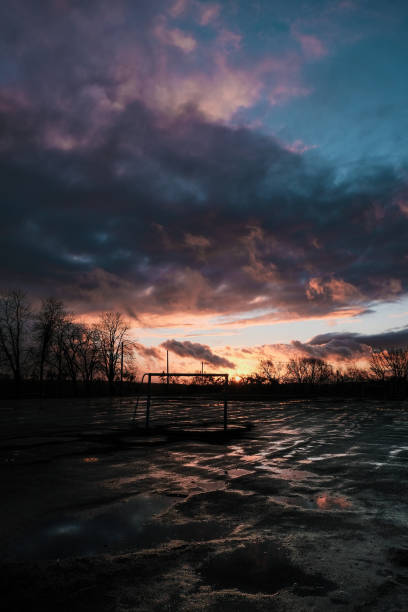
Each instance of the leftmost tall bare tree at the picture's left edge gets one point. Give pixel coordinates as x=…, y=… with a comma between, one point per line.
x=15, y=317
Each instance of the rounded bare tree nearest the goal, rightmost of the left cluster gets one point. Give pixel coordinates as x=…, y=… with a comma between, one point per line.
x=112, y=331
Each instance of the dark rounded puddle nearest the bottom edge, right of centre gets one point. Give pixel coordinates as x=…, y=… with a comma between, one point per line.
x=260, y=567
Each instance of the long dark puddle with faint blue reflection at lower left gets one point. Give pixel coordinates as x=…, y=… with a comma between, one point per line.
x=127, y=524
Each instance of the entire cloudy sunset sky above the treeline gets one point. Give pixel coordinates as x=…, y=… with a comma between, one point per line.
x=232, y=176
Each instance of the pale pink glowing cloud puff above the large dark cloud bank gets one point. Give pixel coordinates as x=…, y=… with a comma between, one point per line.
x=217, y=93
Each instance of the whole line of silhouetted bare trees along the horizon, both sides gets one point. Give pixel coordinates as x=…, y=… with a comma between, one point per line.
x=48, y=347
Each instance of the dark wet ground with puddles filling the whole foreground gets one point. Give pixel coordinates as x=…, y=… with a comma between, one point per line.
x=306, y=509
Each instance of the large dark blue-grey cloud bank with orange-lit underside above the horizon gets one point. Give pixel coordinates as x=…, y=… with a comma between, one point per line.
x=183, y=215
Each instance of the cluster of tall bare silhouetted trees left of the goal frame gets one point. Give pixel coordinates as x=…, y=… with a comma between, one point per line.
x=48, y=345
